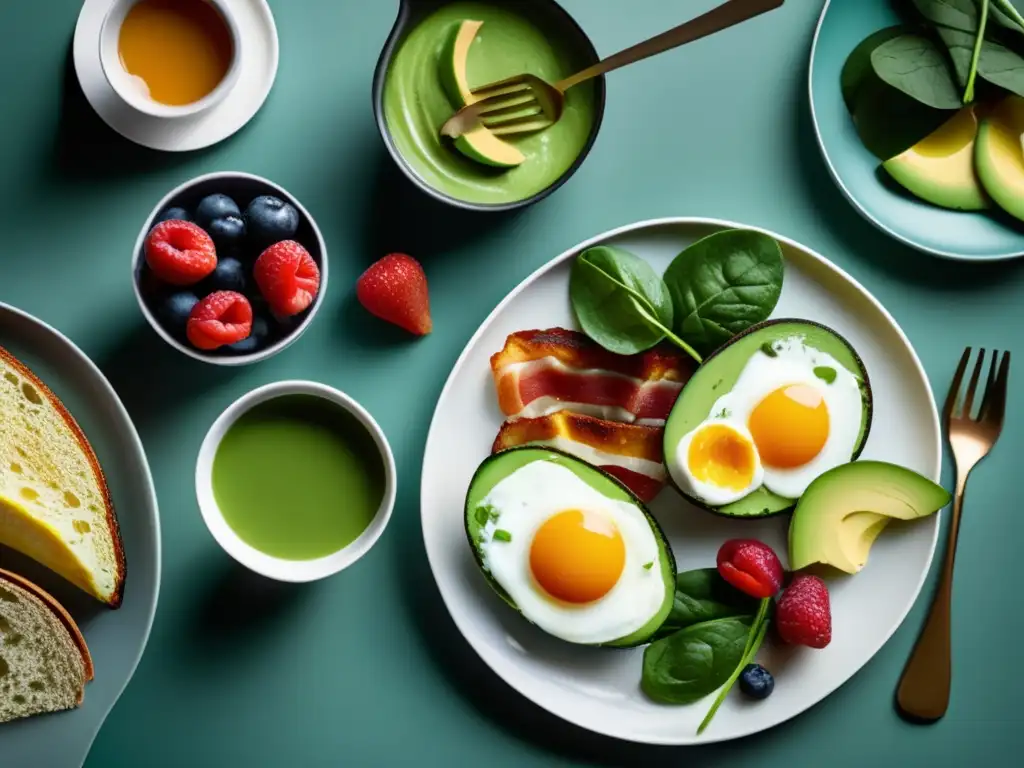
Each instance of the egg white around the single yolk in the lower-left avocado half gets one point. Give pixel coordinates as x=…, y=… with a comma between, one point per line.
x=524, y=501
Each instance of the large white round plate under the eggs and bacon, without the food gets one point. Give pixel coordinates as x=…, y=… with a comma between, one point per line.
x=599, y=689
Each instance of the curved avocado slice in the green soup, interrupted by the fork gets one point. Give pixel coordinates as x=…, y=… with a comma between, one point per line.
x=480, y=145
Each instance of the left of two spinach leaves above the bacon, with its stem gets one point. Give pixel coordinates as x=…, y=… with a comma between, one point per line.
x=621, y=303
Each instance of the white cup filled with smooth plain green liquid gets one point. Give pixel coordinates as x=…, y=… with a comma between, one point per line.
x=258, y=473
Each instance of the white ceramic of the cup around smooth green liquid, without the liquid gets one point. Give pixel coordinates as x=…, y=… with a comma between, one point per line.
x=274, y=568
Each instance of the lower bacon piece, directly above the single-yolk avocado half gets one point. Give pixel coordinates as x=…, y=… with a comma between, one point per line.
x=630, y=452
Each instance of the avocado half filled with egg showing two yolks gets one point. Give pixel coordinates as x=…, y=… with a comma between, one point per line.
x=767, y=413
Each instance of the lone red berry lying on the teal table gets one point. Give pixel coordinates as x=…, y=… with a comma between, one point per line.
x=395, y=289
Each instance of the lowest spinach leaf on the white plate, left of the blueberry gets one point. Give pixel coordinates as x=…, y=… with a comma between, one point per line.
x=691, y=664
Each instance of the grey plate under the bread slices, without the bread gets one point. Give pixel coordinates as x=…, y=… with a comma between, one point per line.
x=116, y=638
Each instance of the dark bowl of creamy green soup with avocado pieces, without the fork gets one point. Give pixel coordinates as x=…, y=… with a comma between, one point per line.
x=425, y=69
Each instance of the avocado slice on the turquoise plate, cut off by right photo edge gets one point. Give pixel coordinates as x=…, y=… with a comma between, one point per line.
x=1000, y=155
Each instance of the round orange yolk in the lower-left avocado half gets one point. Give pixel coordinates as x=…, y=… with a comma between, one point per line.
x=577, y=557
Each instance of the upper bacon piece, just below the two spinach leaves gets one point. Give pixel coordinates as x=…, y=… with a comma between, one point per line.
x=543, y=372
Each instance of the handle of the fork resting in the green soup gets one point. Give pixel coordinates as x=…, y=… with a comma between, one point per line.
x=726, y=16
